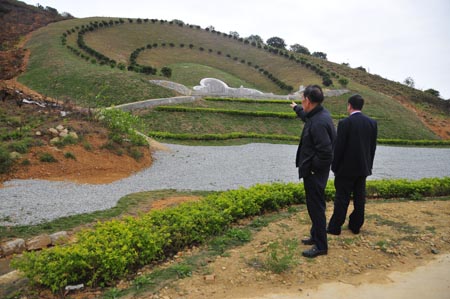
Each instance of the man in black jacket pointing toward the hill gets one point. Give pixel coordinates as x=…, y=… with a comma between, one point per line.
x=314, y=156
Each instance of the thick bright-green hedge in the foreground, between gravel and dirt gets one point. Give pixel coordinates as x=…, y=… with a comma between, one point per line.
x=116, y=248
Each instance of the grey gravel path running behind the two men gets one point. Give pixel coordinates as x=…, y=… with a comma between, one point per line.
x=24, y=202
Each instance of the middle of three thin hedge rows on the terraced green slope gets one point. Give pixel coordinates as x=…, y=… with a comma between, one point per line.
x=289, y=115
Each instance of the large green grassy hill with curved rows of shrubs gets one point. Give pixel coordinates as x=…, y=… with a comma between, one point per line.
x=194, y=53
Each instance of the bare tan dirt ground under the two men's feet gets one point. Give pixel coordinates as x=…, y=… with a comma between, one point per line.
x=397, y=237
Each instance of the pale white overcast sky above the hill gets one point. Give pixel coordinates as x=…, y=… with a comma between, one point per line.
x=395, y=39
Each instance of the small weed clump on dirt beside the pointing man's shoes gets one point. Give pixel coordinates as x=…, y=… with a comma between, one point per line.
x=282, y=257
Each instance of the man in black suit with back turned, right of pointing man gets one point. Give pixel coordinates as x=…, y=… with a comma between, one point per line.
x=352, y=163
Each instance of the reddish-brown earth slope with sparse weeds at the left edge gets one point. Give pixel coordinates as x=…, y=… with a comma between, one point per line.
x=21, y=149
